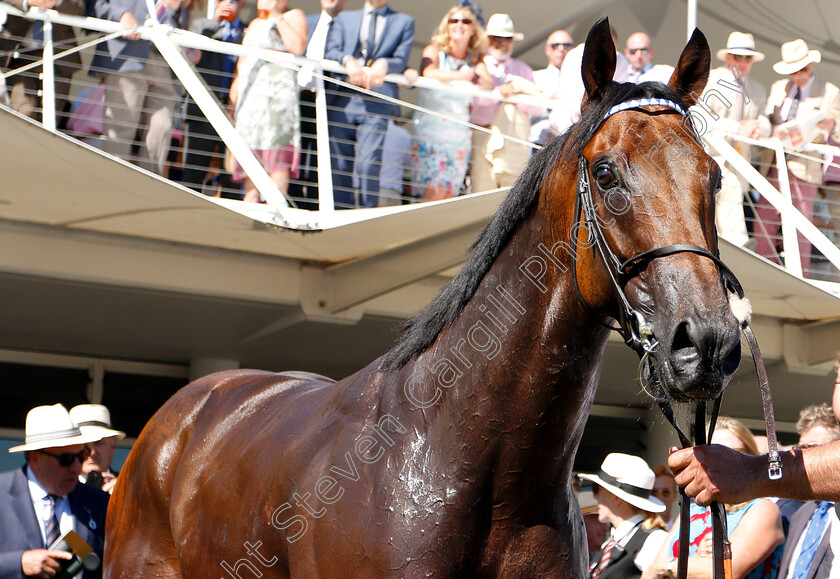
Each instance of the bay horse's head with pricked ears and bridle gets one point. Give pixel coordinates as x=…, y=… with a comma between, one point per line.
x=646, y=181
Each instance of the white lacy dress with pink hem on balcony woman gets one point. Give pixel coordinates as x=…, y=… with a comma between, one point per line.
x=267, y=114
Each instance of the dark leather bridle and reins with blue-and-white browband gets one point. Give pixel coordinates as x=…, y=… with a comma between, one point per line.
x=637, y=332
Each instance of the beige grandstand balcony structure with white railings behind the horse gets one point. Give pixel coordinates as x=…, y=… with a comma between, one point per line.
x=120, y=285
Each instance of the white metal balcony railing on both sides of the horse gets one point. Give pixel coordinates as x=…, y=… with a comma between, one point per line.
x=278, y=209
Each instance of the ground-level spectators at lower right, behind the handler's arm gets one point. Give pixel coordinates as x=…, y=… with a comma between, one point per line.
x=769, y=537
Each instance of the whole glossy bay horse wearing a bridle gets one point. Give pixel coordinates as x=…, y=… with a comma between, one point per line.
x=451, y=455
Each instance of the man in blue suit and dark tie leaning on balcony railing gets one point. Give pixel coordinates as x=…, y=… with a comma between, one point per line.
x=370, y=43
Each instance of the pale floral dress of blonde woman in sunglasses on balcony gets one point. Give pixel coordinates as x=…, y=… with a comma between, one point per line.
x=440, y=150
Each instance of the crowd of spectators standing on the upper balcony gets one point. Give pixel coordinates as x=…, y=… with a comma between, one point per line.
x=460, y=143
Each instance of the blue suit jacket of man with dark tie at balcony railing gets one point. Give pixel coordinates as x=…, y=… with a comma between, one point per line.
x=394, y=46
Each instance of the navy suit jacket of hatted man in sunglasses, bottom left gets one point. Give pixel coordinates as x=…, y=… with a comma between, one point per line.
x=20, y=530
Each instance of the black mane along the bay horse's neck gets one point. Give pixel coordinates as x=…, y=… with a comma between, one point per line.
x=420, y=331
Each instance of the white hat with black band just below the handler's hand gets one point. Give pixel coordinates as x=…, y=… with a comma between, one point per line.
x=629, y=478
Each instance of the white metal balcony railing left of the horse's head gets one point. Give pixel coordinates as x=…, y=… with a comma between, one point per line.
x=170, y=43
